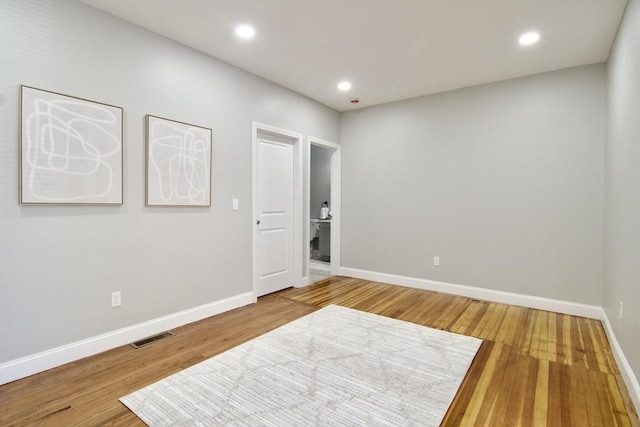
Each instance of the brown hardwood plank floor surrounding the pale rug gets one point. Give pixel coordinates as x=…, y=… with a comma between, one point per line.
x=535, y=368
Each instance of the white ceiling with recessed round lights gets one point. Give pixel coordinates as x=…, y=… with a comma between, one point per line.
x=389, y=49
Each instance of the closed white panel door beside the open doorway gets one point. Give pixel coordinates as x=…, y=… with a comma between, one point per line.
x=275, y=215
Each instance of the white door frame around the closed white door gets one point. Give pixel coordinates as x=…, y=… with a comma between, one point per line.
x=298, y=199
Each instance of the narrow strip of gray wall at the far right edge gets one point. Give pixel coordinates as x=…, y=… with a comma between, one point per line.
x=622, y=237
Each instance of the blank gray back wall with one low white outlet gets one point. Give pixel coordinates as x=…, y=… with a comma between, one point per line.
x=504, y=182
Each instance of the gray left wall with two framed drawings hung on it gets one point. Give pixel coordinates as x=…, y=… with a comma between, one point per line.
x=58, y=265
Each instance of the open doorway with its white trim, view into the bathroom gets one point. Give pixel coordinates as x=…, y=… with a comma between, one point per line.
x=323, y=209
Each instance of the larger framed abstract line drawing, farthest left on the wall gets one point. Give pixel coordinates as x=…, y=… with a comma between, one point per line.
x=70, y=150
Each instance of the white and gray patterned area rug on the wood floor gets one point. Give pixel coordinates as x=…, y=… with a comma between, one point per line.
x=334, y=367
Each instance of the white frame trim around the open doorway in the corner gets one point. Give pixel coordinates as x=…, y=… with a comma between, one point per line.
x=336, y=161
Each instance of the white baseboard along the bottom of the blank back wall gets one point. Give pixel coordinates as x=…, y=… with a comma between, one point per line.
x=558, y=306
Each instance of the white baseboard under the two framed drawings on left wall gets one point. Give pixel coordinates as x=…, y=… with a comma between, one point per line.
x=39, y=362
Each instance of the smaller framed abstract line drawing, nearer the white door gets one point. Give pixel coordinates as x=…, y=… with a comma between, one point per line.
x=178, y=163
